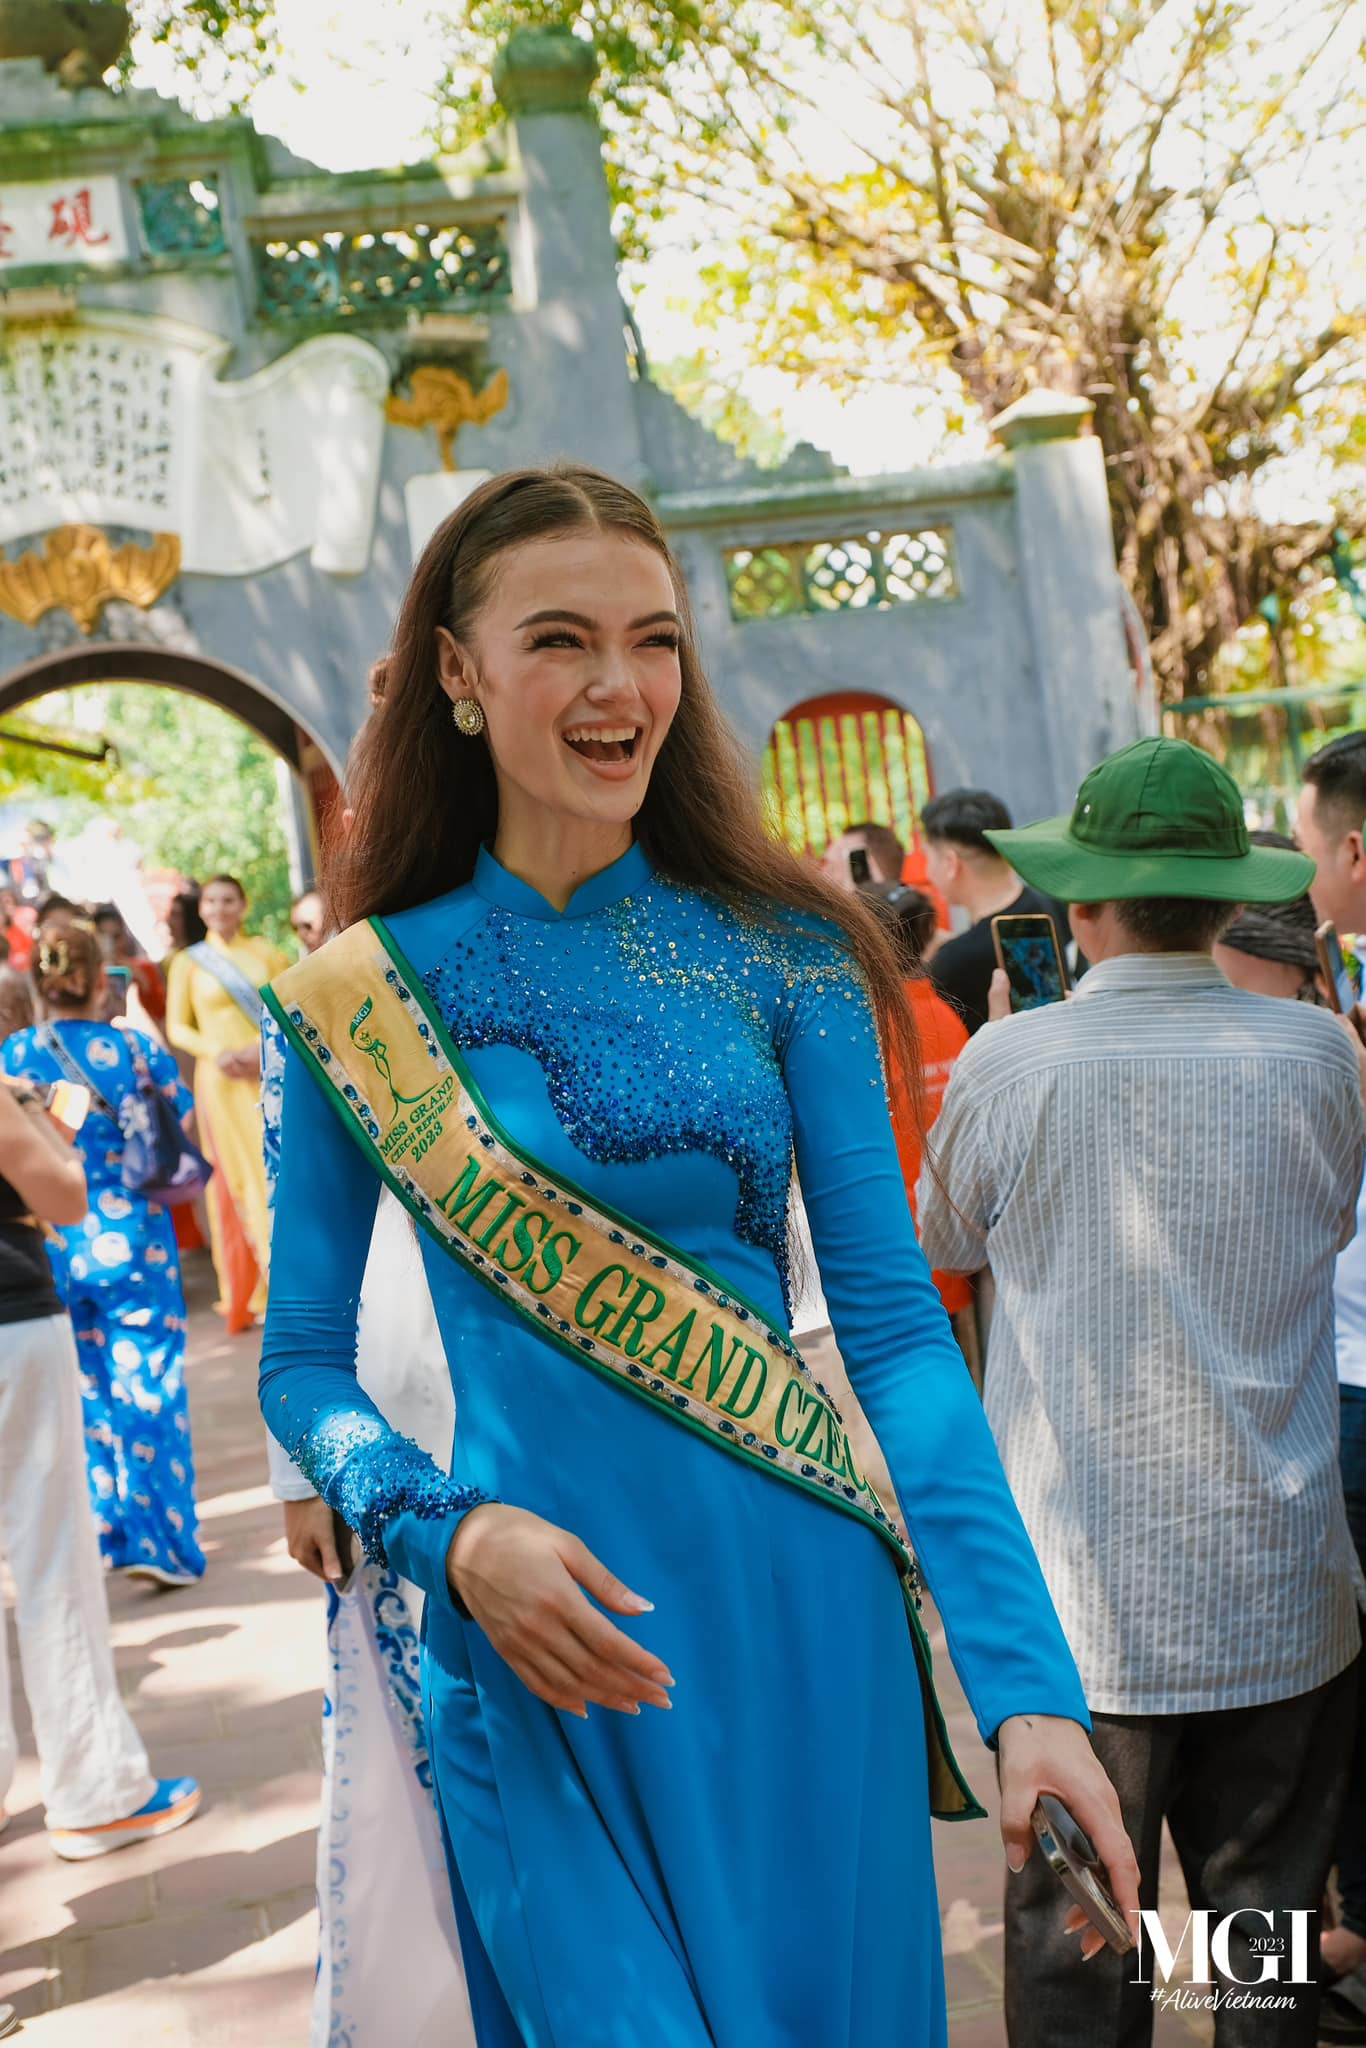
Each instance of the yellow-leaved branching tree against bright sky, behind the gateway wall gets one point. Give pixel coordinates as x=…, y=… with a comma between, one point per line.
x=1140, y=202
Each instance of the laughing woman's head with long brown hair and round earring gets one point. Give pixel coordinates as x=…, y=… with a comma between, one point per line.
x=554, y=607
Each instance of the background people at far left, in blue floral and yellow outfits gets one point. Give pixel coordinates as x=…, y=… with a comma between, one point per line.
x=93, y=1314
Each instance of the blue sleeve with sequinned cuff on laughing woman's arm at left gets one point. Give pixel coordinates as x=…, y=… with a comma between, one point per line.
x=382, y=1484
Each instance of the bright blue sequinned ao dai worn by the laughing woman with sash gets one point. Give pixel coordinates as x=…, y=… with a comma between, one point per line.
x=753, y=1869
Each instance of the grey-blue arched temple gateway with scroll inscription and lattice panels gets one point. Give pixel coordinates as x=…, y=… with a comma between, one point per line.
x=237, y=396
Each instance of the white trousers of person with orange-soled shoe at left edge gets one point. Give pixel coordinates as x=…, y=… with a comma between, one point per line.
x=93, y=1764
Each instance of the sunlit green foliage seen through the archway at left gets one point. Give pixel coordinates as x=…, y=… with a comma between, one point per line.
x=194, y=787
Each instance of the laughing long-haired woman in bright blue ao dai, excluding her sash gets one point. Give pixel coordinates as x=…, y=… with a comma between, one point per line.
x=663, y=1009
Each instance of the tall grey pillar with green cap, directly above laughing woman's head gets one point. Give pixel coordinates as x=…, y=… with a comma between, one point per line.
x=572, y=329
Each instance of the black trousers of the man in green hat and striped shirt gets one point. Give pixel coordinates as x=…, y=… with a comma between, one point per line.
x=1252, y=1799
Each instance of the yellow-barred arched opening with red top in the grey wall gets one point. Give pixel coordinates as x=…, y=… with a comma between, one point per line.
x=826, y=773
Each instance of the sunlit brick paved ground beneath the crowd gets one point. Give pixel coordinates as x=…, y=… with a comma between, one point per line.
x=206, y=1940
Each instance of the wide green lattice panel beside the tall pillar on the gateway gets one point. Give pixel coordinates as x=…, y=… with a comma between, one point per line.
x=394, y=271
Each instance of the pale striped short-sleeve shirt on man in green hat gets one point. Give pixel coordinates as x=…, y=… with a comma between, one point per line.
x=1160, y=1177
